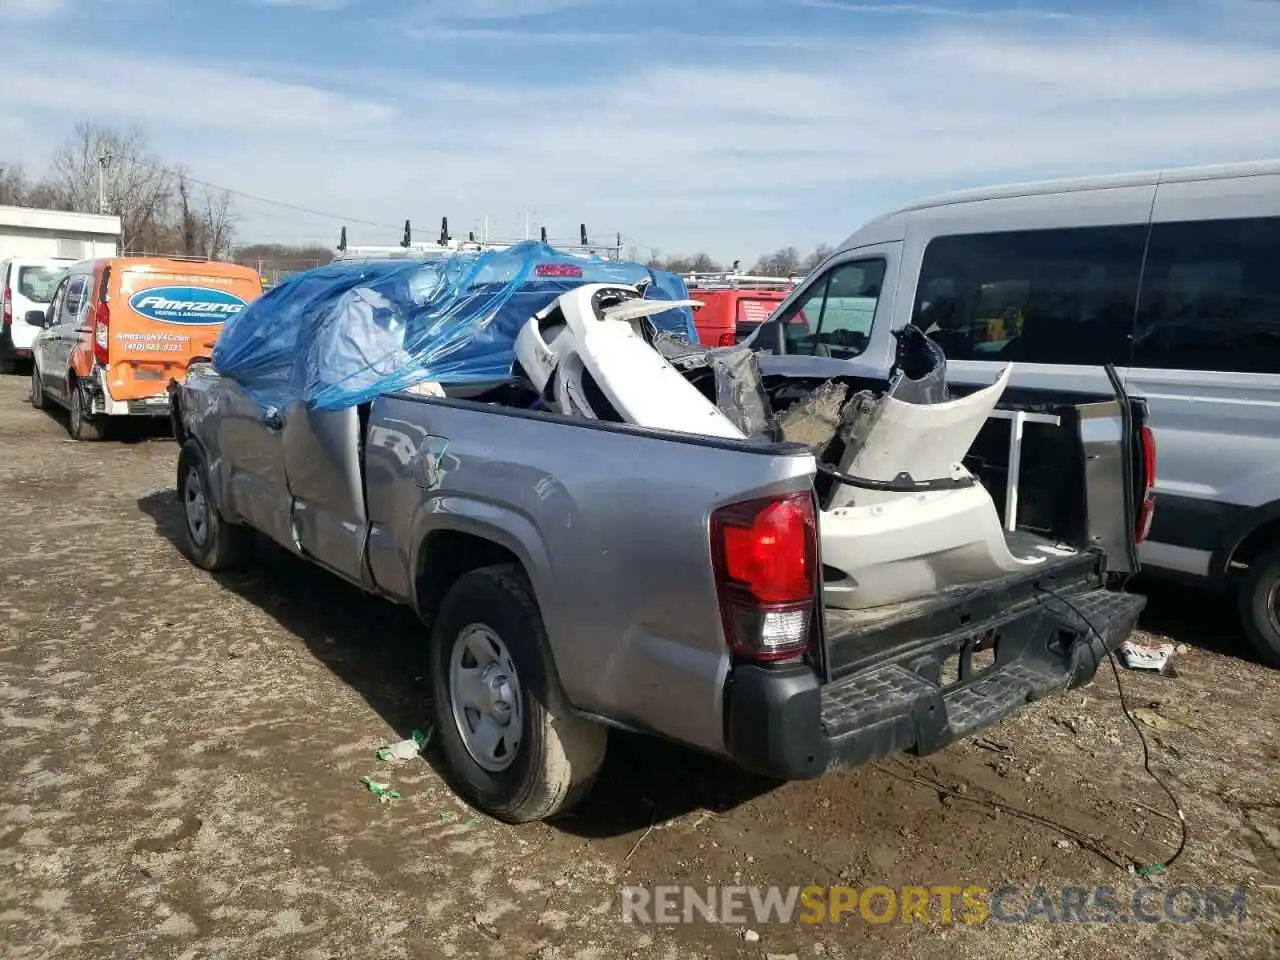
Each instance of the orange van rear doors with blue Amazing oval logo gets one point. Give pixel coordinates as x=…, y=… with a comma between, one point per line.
x=161, y=323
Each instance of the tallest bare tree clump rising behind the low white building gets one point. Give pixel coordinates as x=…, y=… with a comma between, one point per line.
x=136, y=185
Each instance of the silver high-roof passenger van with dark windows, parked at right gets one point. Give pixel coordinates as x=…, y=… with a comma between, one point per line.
x=1172, y=277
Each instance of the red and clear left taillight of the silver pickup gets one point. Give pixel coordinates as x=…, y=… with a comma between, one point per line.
x=766, y=560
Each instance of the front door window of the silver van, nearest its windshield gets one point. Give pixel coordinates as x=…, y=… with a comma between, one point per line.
x=835, y=317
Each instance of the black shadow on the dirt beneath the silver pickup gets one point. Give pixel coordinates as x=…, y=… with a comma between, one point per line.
x=381, y=651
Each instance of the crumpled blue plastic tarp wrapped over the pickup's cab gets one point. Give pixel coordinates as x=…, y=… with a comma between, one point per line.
x=341, y=335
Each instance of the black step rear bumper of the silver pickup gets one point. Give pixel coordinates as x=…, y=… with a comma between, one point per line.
x=784, y=723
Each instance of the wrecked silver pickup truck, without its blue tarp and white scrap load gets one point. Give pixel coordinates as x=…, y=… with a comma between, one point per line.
x=579, y=575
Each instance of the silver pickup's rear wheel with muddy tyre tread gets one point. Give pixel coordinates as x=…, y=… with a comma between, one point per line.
x=515, y=748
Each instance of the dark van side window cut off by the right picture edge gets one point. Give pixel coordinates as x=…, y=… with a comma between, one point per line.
x=1212, y=298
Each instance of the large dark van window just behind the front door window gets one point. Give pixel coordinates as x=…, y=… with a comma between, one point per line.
x=1063, y=296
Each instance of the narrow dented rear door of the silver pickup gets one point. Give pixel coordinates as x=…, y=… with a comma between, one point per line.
x=323, y=469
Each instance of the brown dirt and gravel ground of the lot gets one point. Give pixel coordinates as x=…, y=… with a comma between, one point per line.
x=182, y=757
